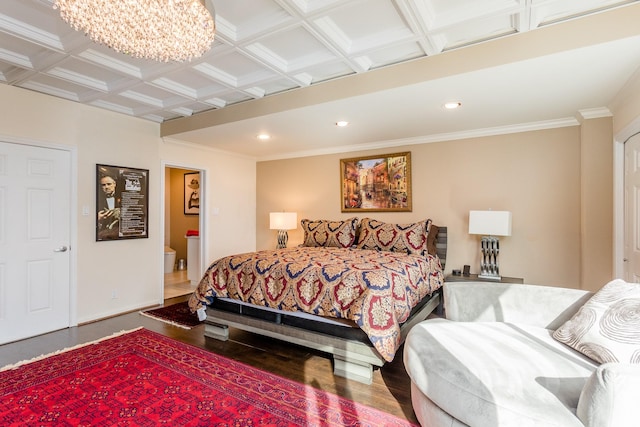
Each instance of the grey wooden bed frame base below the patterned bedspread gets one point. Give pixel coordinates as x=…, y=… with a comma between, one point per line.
x=352, y=359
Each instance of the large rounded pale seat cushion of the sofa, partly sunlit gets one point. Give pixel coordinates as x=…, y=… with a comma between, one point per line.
x=489, y=374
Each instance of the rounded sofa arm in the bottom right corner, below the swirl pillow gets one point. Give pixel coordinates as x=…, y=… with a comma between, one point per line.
x=610, y=396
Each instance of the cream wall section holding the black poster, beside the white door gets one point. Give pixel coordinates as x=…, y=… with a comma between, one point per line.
x=97, y=137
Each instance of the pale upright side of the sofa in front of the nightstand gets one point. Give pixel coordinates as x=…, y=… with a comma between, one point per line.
x=535, y=305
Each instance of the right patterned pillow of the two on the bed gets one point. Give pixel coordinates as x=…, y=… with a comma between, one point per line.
x=382, y=236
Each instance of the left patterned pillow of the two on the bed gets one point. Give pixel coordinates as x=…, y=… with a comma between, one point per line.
x=339, y=234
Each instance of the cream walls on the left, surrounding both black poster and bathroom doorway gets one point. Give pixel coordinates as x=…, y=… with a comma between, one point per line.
x=132, y=268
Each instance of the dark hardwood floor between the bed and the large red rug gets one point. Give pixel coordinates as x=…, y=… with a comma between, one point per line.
x=390, y=391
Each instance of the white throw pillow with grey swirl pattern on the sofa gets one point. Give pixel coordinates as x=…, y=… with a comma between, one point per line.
x=607, y=327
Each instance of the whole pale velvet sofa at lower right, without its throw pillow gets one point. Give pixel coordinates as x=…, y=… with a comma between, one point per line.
x=494, y=362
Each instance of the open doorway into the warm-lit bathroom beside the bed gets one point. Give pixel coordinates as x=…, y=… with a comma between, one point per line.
x=182, y=219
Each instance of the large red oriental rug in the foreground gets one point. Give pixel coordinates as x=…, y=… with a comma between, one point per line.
x=142, y=378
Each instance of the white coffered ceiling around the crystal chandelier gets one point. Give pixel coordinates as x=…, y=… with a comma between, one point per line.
x=262, y=48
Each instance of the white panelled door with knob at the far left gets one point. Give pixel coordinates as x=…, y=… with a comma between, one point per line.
x=34, y=240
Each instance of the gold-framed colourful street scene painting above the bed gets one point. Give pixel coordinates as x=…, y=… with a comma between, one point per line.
x=379, y=183
